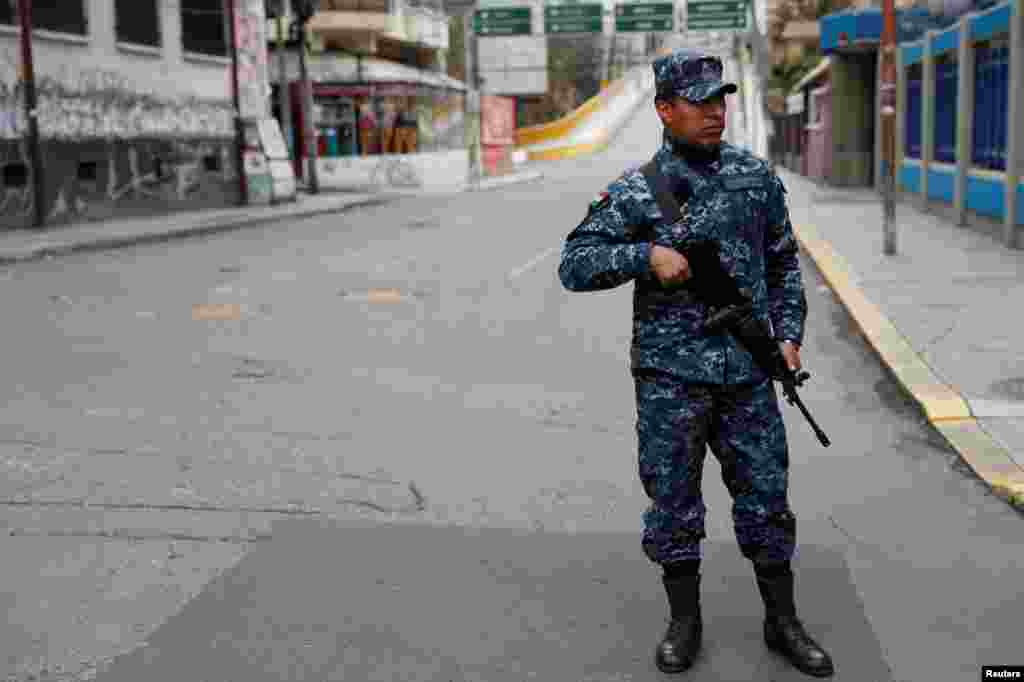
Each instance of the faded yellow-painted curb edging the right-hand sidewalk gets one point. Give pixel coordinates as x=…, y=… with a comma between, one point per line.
x=945, y=409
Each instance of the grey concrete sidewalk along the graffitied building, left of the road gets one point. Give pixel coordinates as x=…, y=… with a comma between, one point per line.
x=26, y=245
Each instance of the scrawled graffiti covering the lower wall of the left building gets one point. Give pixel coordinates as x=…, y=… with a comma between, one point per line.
x=146, y=144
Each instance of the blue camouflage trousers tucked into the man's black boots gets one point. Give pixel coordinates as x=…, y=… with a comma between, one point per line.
x=743, y=427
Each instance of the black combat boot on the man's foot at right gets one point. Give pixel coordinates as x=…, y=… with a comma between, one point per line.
x=784, y=631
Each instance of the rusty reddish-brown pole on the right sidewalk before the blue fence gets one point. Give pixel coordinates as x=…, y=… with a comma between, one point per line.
x=887, y=100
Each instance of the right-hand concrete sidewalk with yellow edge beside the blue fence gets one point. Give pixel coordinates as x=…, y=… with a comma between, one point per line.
x=941, y=315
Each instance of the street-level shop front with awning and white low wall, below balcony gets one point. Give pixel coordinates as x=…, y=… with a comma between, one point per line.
x=399, y=127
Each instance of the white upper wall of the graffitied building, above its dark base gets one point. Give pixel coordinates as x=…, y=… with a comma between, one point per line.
x=92, y=88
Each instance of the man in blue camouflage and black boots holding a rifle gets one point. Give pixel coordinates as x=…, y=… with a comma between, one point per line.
x=696, y=391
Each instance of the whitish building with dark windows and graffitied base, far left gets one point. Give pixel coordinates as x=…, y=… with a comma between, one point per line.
x=135, y=110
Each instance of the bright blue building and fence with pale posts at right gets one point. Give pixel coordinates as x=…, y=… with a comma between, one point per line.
x=960, y=136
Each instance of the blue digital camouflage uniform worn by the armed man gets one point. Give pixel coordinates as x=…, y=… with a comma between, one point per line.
x=696, y=391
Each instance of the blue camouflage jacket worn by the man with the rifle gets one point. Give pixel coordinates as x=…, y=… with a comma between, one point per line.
x=738, y=201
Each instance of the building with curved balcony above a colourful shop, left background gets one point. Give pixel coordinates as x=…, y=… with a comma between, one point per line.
x=386, y=114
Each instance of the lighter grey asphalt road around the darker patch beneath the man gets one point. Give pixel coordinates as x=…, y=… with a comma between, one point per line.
x=419, y=363
